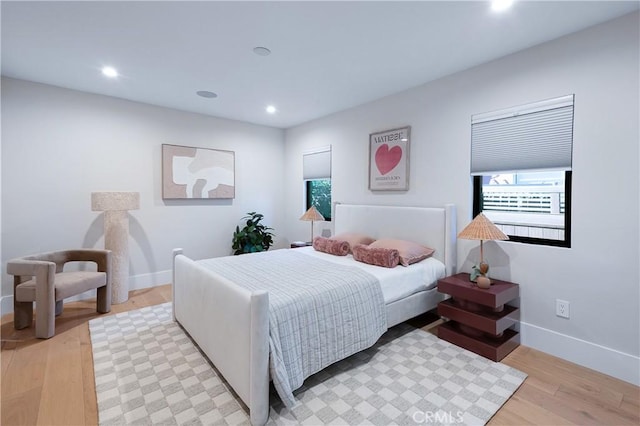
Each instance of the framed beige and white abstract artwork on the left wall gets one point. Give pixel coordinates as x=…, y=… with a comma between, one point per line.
x=189, y=172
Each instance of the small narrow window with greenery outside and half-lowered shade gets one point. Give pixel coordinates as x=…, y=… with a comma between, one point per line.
x=316, y=168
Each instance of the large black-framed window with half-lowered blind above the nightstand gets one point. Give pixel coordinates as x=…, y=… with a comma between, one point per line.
x=521, y=166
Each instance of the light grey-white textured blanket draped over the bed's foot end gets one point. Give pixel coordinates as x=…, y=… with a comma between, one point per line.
x=319, y=312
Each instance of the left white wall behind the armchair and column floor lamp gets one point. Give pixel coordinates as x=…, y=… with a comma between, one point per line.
x=60, y=145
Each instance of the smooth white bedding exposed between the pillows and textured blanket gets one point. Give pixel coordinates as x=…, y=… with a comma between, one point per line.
x=396, y=283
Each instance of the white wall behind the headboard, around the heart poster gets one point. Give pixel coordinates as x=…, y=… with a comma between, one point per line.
x=599, y=275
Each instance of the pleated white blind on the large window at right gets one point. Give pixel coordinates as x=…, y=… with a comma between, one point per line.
x=529, y=137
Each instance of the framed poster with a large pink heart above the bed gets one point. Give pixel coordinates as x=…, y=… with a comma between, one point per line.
x=389, y=160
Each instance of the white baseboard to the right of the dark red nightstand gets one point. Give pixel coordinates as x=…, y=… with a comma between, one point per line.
x=596, y=357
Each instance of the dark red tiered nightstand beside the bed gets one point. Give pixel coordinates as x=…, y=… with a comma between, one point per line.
x=479, y=319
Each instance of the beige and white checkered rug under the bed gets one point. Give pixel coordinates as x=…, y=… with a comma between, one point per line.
x=148, y=371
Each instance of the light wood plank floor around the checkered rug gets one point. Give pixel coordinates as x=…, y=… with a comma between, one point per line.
x=50, y=382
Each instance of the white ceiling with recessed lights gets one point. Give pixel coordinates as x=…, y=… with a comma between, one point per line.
x=325, y=56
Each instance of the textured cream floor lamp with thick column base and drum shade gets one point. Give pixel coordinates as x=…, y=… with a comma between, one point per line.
x=116, y=236
